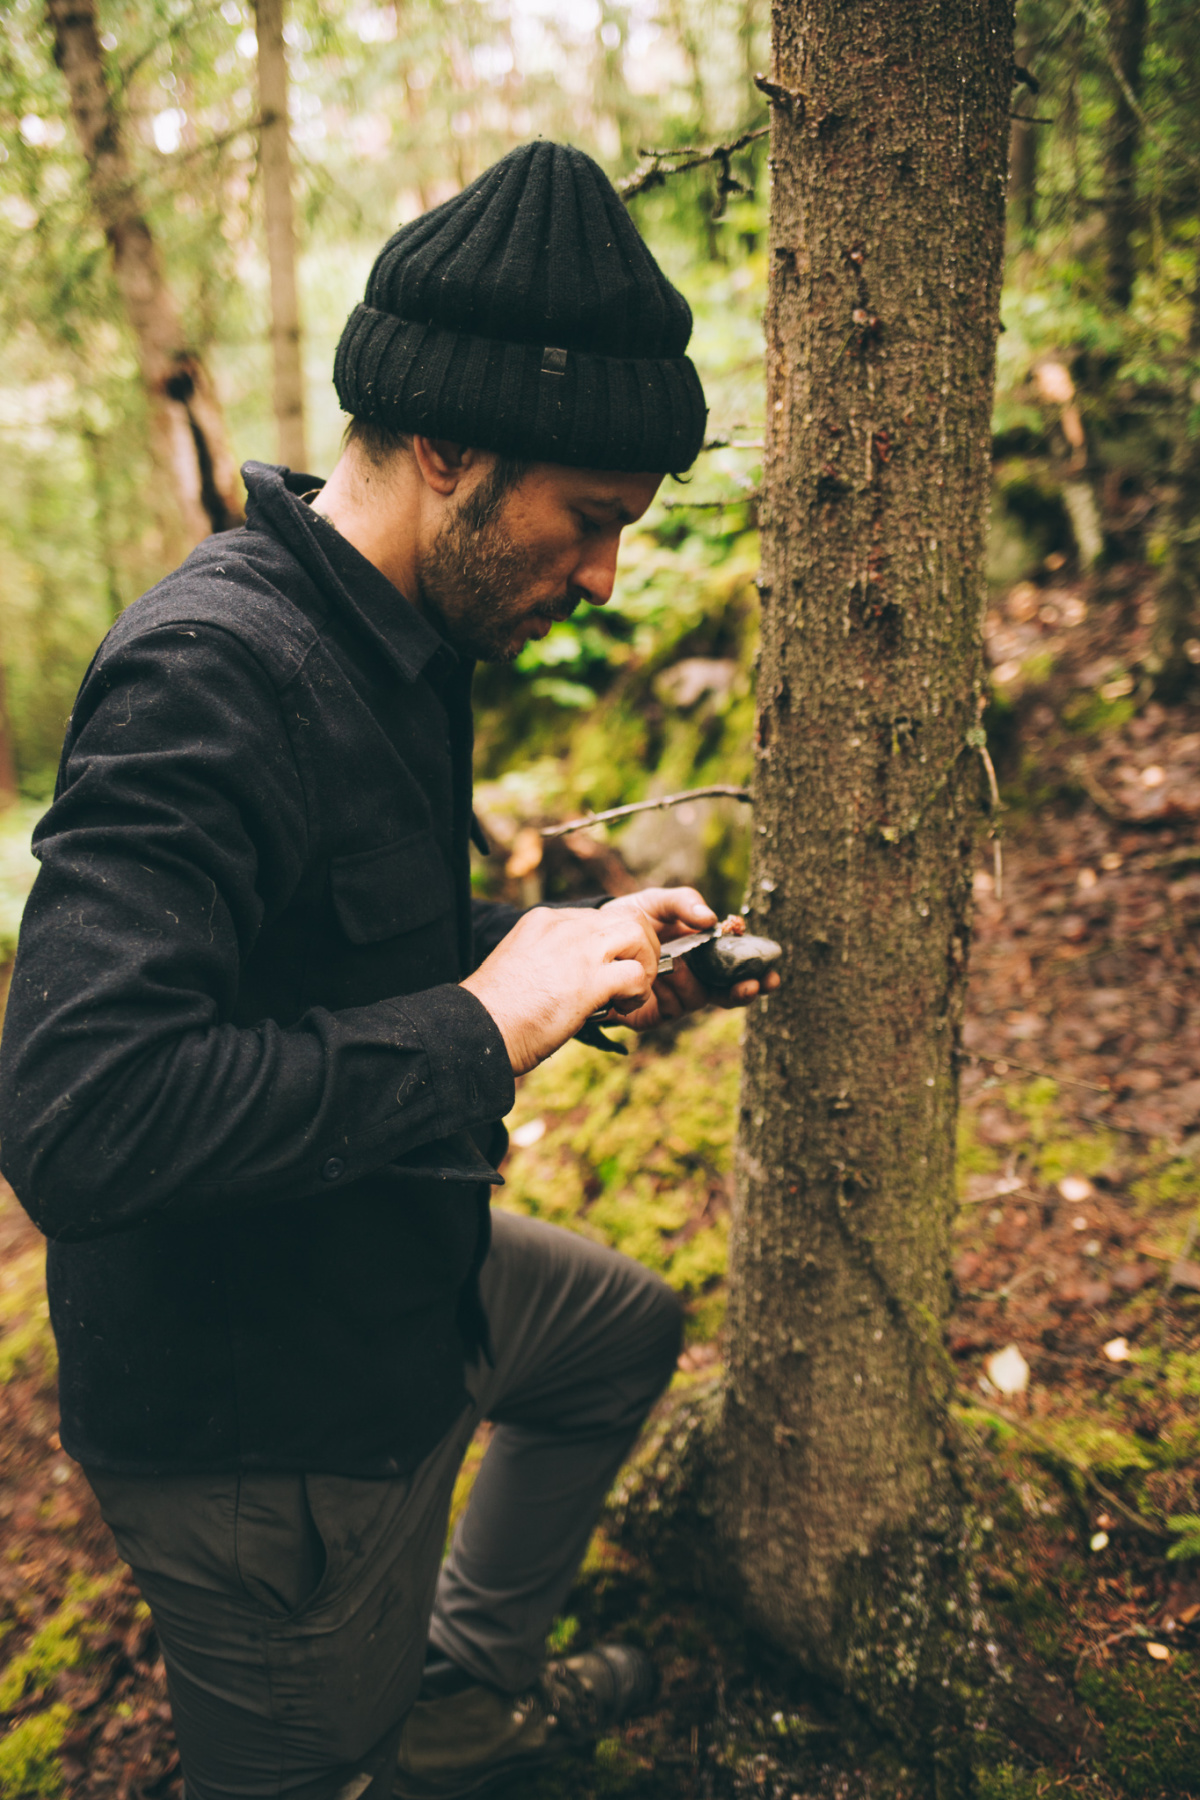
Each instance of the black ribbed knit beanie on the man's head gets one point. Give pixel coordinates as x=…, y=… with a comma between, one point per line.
x=526, y=316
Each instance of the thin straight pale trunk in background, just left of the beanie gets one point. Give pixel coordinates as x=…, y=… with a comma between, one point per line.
x=280, y=211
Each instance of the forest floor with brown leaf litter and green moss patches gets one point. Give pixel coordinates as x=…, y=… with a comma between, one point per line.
x=1075, y=1335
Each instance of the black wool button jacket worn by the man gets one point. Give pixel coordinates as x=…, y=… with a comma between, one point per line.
x=242, y=1090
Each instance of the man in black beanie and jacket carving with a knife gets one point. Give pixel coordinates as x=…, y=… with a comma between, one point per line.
x=260, y=1041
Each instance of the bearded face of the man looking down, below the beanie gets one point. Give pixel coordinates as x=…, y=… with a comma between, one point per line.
x=508, y=562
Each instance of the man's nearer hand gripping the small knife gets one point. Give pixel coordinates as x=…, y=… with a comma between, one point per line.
x=555, y=969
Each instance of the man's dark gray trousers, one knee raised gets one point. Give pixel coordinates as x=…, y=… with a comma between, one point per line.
x=294, y=1610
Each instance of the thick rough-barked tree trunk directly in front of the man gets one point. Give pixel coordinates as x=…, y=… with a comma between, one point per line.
x=839, y=1493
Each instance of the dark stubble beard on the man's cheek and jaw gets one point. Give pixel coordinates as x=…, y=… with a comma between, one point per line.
x=476, y=580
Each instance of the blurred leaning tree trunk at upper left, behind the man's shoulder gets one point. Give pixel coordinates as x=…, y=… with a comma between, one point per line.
x=186, y=424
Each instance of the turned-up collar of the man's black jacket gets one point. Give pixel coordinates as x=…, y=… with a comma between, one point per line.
x=406, y=640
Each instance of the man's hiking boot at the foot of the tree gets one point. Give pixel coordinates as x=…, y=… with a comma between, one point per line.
x=458, y=1745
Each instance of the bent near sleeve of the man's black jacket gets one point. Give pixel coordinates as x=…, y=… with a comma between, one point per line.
x=179, y=827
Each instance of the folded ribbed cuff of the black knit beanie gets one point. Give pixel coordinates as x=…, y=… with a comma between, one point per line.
x=521, y=400
